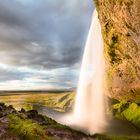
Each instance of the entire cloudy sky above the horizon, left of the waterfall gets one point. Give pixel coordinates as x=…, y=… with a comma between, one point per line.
x=42, y=42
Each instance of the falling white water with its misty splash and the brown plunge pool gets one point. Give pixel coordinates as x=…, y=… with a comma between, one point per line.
x=89, y=113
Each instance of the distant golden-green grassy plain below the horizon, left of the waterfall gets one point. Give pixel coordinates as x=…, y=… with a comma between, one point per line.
x=58, y=101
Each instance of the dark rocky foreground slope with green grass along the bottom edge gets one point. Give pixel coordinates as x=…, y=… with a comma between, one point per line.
x=30, y=125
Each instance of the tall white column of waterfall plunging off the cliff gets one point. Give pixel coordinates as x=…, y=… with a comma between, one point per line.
x=89, y=111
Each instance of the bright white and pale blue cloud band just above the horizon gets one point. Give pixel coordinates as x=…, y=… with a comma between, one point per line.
x=32, y=79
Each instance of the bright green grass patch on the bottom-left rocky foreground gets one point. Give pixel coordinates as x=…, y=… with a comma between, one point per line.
x=26, y=128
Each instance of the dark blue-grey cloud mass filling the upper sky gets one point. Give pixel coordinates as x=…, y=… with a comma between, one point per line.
x=59, y=27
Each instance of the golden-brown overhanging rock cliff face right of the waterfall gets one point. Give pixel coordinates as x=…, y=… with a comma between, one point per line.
x=120, y=22
